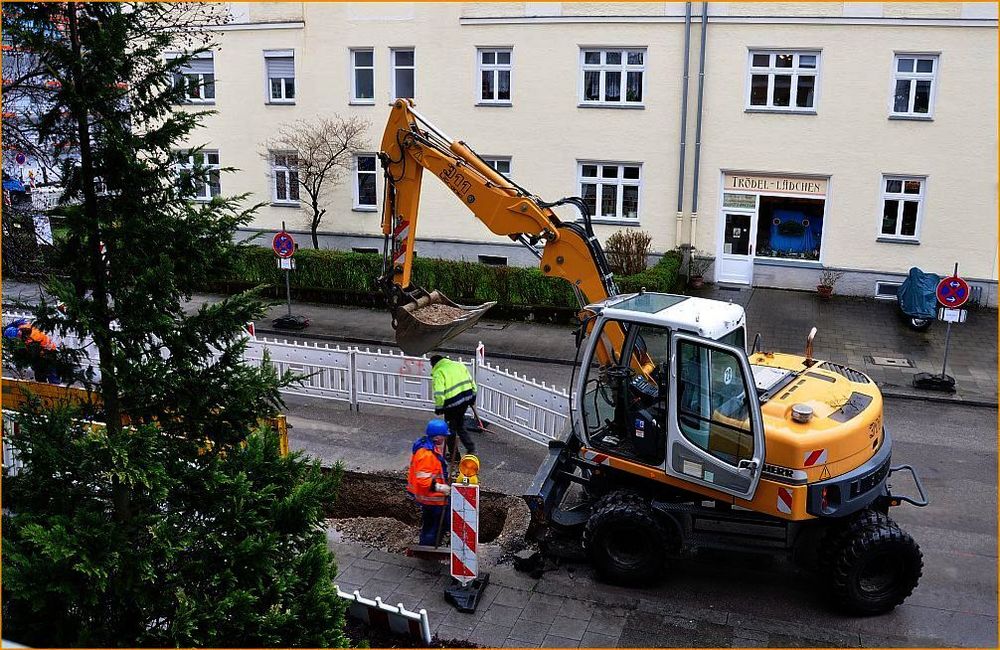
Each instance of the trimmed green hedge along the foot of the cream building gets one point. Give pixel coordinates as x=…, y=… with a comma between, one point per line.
x=339, y=274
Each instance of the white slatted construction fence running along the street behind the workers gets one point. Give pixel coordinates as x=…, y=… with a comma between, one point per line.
x=534, y=410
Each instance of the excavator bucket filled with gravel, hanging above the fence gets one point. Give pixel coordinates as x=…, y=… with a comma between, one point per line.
x=424, y=324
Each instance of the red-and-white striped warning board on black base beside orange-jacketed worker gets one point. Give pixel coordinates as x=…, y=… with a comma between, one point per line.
x=469, y=586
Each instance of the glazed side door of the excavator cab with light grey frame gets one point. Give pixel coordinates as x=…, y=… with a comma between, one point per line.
x=715, y=431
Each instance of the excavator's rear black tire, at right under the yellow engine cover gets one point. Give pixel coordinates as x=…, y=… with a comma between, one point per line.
x=876, y=566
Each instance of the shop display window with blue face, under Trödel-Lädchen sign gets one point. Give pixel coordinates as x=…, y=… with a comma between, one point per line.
x=789, y=228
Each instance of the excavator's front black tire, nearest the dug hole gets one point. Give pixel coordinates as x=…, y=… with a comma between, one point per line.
x=625, y=541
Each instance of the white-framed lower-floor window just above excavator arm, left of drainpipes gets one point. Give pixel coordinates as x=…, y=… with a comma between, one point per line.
x=610, y=189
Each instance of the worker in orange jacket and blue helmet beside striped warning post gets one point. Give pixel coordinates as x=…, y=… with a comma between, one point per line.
x=427, y=482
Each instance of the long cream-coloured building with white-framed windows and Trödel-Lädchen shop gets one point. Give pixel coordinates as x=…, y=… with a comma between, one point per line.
x=859, y=137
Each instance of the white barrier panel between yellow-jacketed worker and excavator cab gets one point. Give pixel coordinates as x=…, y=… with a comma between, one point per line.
x=536, y=411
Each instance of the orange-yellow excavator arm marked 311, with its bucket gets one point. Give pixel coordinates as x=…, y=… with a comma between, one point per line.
x=410, y=145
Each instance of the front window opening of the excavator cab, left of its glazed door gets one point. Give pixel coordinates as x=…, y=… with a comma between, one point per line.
x=624, y=404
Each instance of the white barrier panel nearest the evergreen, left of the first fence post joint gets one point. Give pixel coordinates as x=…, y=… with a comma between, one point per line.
x=327, y=370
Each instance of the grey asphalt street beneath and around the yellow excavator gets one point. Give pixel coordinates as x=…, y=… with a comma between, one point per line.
x=750, y=600
